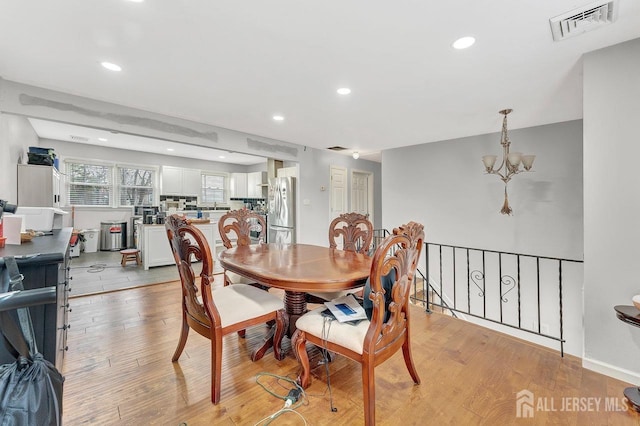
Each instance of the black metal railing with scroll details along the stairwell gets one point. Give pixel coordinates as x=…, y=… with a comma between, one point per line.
x=515, y=290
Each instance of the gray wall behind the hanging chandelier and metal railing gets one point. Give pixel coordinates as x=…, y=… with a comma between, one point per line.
x=443, y=185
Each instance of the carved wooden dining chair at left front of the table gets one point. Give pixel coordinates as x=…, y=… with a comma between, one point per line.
x=214, y=313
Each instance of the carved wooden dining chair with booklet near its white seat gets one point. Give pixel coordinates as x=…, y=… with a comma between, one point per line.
x=374, y=340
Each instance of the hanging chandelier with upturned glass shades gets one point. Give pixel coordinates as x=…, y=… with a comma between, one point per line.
x=510, y=163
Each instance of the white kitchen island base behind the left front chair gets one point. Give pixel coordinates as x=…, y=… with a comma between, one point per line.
x=155, y=249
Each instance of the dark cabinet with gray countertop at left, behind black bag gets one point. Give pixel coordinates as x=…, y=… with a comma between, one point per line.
x=45, y=263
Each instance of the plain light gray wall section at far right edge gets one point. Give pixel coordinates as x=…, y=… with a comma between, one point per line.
x=612, y=205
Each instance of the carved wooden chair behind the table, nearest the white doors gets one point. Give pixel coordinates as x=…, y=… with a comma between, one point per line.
x=349, y=232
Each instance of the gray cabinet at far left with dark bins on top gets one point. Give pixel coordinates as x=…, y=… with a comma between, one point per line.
x=38, y=186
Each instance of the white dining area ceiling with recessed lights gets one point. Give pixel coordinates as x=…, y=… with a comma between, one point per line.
x=235, y=64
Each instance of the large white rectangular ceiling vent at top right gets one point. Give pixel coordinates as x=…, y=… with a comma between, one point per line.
x=583, y=19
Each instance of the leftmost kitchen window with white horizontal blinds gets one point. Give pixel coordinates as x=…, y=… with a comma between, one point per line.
x=89, y=184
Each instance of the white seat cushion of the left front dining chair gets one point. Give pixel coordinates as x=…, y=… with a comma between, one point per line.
x=241, y=302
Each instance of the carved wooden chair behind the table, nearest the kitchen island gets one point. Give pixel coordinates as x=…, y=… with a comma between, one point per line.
x=236, y=226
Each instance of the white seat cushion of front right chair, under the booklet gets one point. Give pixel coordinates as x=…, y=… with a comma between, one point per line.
x=346, y=335
